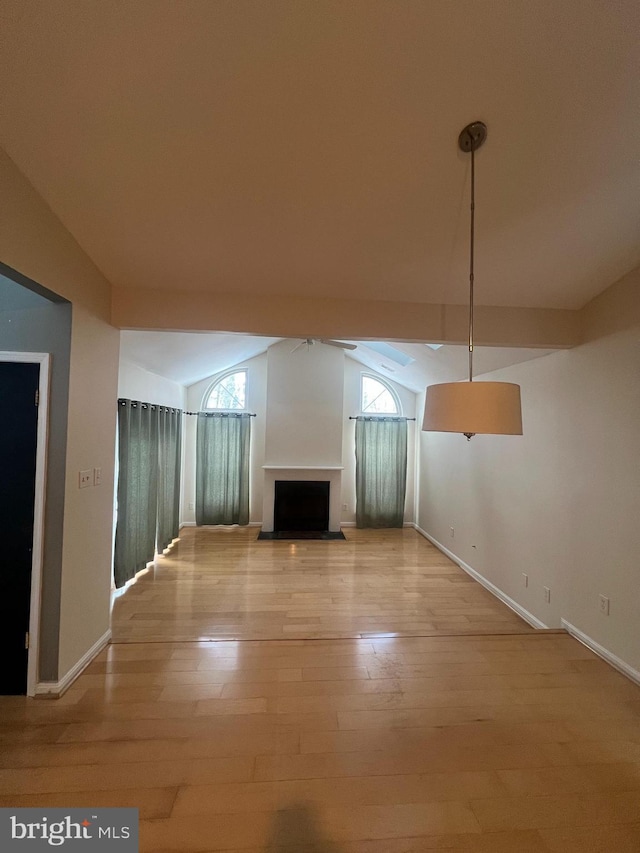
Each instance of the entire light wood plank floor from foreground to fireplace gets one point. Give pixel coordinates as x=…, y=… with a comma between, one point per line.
x=489, y=742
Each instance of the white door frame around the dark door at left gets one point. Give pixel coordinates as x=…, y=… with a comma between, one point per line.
x=37, y=554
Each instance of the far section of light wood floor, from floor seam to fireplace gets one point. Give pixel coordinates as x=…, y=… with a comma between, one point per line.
x=224, y=584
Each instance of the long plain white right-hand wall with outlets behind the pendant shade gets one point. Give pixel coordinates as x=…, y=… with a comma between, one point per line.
x=562, y=502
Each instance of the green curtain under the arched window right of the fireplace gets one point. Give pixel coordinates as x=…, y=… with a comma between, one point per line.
x=381, y=471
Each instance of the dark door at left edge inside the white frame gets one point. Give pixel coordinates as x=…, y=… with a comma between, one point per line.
x=18, y=437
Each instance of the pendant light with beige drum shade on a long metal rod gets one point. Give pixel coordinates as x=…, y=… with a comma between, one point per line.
x=473, y=407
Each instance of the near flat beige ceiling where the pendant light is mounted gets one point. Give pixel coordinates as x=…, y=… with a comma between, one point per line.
x=292, y=147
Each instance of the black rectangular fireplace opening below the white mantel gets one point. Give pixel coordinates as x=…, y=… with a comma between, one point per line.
x=301, y=505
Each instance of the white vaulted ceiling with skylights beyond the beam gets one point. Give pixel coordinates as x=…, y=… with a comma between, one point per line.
x=187, y=358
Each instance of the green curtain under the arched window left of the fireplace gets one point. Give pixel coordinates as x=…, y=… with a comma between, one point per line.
x=222, y=468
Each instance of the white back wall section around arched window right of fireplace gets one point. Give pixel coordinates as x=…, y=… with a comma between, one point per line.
x=352, y=373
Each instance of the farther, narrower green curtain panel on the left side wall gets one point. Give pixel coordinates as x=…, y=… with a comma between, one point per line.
x=169, y=452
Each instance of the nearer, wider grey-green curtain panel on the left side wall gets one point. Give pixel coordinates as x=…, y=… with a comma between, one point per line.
x=137, y=489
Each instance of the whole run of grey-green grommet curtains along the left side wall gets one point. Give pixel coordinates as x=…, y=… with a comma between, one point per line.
x=149, y=448
